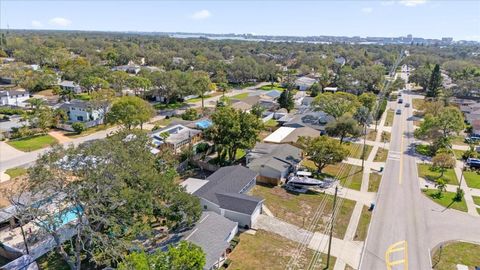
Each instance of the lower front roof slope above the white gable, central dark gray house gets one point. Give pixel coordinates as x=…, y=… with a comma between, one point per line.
x=238, y=202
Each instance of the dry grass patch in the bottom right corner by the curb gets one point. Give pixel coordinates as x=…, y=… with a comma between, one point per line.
x=455, y=253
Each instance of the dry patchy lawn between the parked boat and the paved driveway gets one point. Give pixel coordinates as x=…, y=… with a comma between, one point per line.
x=298, y=209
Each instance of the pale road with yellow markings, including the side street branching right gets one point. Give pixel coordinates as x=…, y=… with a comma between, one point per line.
x=406, y=225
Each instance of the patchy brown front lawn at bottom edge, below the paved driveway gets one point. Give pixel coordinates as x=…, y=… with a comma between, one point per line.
x=266, y=250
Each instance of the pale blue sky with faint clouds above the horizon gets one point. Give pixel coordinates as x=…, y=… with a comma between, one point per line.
x=421, y=18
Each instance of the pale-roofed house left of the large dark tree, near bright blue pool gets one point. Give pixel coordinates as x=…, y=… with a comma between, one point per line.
x=176, y=137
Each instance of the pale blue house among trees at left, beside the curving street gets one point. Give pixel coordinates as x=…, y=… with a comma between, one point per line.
x=84, y=111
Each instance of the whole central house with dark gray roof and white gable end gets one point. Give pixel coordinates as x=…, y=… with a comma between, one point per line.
x=225, y=194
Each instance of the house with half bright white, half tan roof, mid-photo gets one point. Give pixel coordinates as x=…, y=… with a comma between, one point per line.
x=291, y=134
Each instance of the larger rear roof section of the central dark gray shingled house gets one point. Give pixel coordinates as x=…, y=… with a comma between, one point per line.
x=230, y=179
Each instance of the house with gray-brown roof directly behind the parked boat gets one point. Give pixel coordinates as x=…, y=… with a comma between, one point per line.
x=273, y=162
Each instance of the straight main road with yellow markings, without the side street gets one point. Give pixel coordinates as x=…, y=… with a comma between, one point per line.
x=398, y=236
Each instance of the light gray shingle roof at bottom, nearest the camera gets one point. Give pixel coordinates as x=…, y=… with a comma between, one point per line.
x=211, y=234
